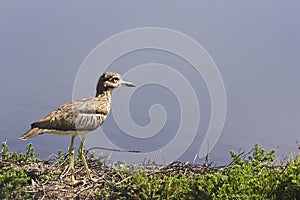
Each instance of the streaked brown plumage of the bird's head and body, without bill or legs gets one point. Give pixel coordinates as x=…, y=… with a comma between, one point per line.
x=84, y=115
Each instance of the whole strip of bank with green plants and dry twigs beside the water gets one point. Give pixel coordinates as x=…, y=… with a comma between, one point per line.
x=255, y=175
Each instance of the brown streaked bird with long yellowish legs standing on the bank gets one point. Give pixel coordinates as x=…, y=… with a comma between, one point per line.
x=80, y=117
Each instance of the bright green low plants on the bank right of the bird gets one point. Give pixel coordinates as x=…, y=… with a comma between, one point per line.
x=254, y=177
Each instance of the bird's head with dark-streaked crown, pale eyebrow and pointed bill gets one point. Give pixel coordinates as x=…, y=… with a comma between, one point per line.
x=111, y=80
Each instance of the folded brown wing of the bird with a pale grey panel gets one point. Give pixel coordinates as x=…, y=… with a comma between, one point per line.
x=84, y=114
